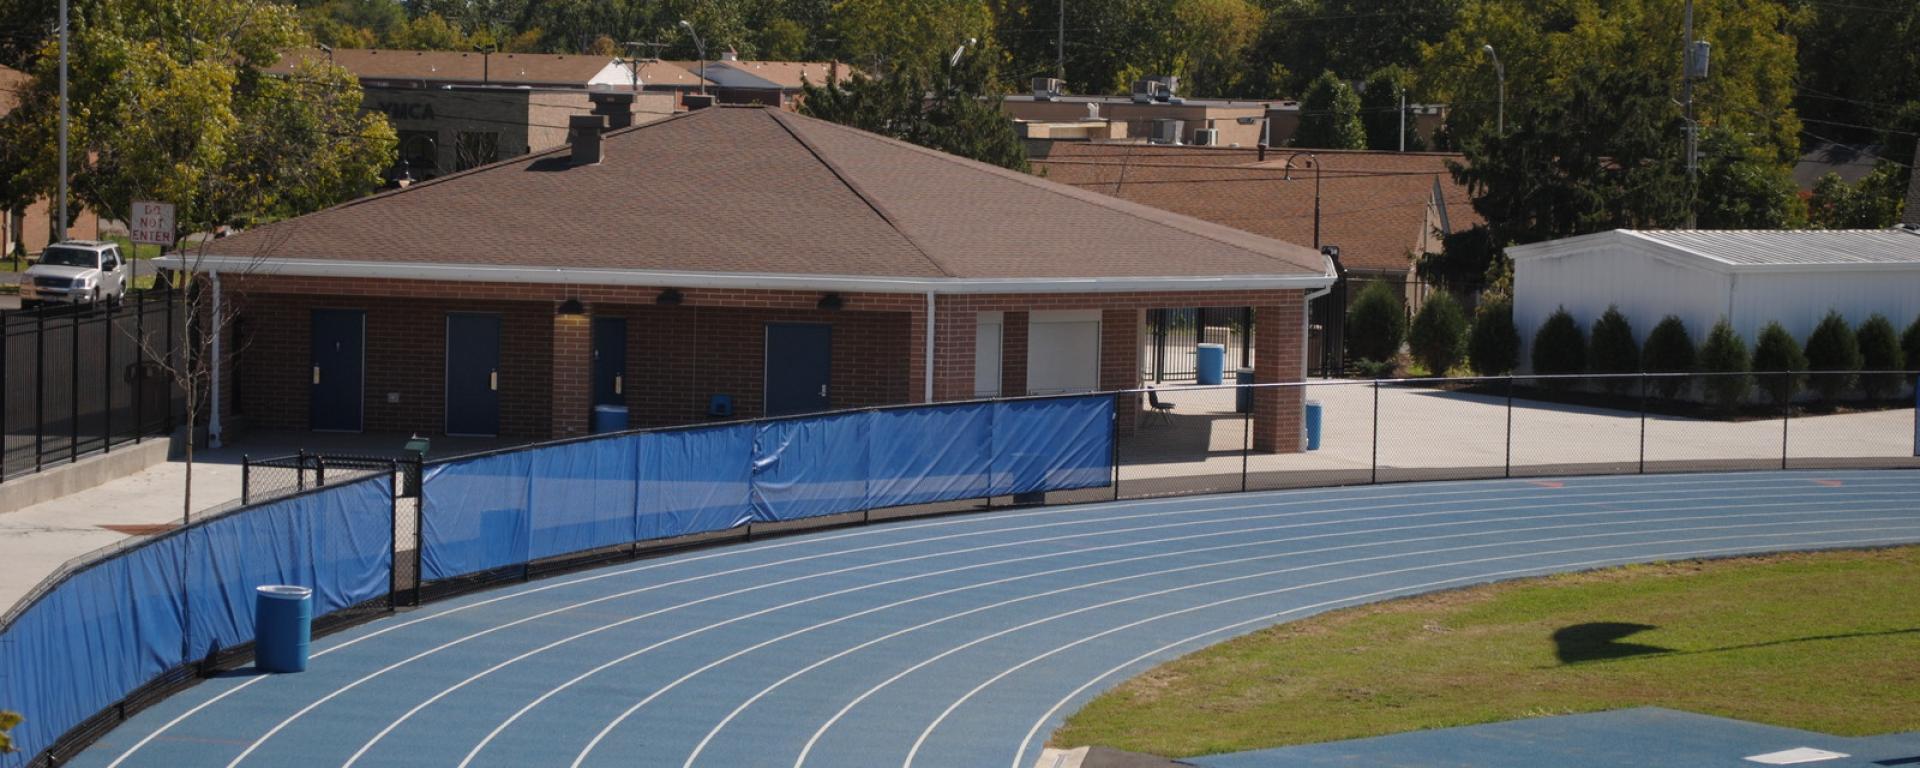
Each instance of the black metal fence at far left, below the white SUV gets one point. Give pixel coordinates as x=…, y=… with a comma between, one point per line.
x=85, y=379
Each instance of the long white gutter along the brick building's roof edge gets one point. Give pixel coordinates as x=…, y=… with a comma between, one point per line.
x=757, y=281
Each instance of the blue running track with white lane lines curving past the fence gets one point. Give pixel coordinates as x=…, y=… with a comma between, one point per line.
x=944, y=642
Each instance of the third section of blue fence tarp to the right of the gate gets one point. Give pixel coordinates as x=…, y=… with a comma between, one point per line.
x=694, y=481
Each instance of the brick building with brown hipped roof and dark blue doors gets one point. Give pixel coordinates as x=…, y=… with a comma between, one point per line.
x=777, y=260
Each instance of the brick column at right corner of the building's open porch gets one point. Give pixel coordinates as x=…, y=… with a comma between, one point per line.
x=1280, y=337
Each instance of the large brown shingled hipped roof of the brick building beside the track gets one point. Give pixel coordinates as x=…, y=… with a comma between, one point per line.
x=769, y=193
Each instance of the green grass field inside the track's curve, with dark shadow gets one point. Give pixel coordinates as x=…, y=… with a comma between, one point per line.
x=1825, y=642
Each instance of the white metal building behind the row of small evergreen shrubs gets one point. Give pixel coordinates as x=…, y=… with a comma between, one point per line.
x=1750, y=277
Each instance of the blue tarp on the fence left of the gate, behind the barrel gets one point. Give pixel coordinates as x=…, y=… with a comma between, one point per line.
x=122, y=623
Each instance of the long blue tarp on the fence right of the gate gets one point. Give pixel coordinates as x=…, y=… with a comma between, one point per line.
x=506, y=510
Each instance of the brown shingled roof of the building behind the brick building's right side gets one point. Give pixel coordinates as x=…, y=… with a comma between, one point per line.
x=1374, y=204
